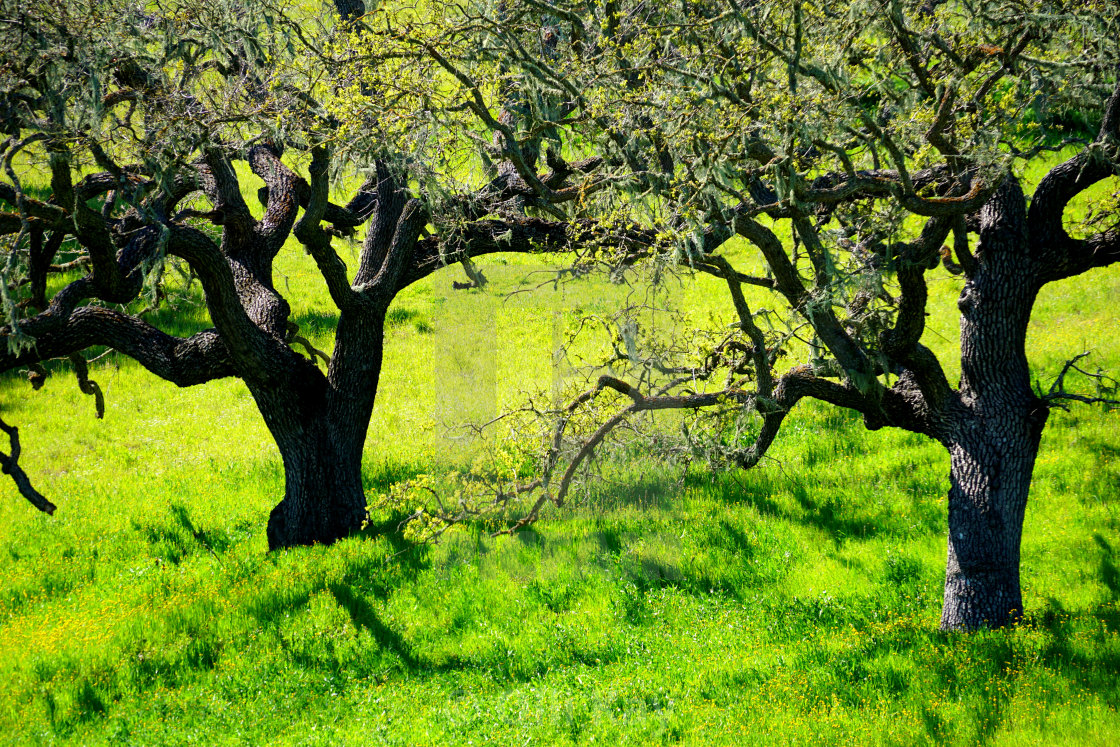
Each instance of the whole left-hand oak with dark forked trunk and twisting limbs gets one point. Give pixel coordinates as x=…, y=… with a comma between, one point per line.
x=147, y=125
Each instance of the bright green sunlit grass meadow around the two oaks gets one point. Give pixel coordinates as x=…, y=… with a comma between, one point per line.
x=795, y=603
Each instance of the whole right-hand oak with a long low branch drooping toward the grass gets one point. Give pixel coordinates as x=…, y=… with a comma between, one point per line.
x=855, y=148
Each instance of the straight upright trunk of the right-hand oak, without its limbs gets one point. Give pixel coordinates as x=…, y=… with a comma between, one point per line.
x=996, y=429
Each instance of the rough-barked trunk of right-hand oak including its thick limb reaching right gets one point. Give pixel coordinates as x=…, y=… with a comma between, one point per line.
x=995, y=438
